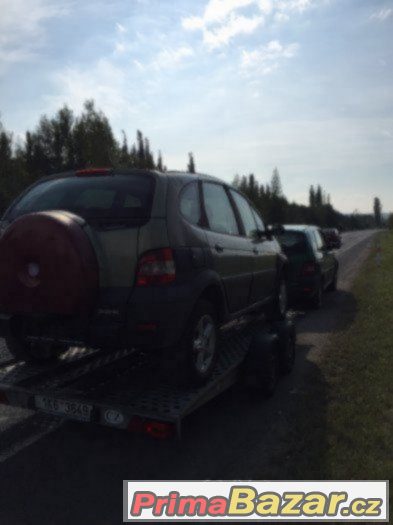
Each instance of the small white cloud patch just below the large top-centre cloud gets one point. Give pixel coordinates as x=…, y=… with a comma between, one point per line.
x=266, y=59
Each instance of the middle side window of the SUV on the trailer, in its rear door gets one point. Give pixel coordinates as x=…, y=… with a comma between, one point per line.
x=219, y=211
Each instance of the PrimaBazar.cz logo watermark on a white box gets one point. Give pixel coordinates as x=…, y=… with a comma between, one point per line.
x=201, y=501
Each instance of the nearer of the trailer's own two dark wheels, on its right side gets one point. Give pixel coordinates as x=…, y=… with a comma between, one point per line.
x=262, y=363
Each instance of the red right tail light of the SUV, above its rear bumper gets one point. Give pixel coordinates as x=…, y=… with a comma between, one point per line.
x=156, y=268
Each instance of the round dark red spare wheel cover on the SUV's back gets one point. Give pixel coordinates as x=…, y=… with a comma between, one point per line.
x=47, y=266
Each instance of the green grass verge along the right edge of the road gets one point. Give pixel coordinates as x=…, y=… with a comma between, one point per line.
x=344, y=426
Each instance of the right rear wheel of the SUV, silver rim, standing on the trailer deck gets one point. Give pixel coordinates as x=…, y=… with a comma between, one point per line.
x=193, y=361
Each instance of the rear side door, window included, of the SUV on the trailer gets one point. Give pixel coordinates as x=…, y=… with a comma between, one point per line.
x=232, y=254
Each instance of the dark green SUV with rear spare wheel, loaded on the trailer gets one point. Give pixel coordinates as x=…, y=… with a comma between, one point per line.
x=134, y=258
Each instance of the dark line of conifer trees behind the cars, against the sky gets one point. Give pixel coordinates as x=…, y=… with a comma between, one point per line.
x=66, y=142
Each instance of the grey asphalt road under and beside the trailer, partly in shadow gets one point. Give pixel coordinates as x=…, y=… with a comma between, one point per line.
x=63, y=473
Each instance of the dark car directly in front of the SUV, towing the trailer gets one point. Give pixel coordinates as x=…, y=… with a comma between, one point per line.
x=312, y=267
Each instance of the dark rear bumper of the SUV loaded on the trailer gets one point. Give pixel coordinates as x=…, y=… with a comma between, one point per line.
x=153, y=318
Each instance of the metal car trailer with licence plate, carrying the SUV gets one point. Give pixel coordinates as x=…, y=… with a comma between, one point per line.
x=121, y=389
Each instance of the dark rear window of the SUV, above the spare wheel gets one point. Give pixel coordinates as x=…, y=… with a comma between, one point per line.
x=96, y=197
